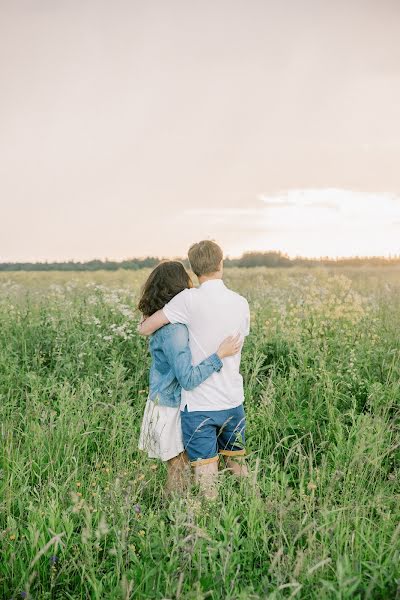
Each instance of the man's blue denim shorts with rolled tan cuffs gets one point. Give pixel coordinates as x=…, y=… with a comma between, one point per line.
x=206, y=434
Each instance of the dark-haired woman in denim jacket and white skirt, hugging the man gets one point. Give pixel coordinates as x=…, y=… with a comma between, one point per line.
x=171, y=370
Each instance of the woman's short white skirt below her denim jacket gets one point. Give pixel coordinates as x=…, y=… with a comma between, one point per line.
x=160, y=433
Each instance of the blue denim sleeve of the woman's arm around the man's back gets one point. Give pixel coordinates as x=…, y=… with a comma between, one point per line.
x=178, y=354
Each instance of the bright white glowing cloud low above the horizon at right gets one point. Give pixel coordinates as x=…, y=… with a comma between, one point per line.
x=308, y=222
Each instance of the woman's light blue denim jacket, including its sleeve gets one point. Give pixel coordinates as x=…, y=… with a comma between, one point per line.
x=171, y=368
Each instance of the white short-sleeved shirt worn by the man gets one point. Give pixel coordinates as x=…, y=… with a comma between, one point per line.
x=212, y=312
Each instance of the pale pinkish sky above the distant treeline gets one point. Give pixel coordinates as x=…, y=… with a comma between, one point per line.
x=130, y=128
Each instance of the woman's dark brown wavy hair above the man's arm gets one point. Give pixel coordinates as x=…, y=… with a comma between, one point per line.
x=164, y=282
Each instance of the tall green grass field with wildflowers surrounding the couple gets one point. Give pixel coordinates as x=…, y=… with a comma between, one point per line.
x=81, y=513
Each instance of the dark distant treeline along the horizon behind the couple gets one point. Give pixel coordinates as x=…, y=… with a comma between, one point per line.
x=249, y=259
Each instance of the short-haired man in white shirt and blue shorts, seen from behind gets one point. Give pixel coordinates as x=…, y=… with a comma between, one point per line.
x=213, y=420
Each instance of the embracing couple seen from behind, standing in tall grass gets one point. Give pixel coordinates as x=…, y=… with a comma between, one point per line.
x=194, y=413
